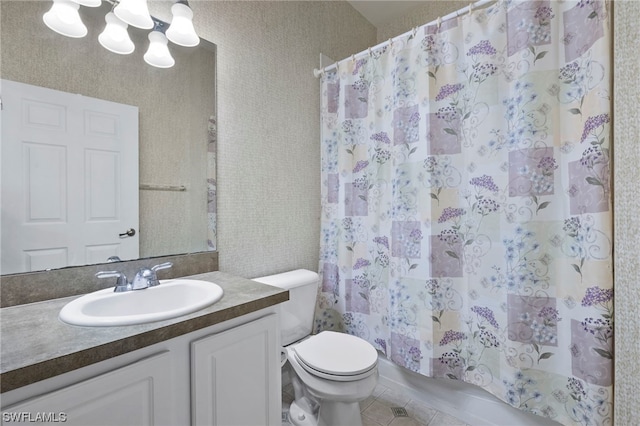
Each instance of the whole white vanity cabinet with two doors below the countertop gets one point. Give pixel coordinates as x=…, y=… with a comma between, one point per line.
x=225, y=374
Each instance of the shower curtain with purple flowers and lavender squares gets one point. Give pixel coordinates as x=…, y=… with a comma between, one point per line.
x=466, y=204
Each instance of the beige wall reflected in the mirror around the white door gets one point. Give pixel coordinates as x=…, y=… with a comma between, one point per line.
x=177, y=111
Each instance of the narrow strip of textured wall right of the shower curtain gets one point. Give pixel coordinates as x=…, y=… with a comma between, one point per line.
x=626, y=153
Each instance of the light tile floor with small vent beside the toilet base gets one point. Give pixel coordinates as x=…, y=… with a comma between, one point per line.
x=389, y=407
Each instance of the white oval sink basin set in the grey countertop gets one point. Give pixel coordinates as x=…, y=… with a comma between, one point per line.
x=170, y=299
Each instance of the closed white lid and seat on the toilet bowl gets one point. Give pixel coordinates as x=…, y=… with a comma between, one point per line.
x=337, y=354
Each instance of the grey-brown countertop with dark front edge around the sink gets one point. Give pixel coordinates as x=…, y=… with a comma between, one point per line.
x=37, y=345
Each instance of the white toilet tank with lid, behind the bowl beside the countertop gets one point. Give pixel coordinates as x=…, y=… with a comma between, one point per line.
x=296, y=314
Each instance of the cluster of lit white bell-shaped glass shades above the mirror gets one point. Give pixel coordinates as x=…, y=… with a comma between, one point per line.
x=63, y=18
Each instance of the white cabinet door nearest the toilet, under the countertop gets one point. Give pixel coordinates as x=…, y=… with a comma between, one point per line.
x=235, y=376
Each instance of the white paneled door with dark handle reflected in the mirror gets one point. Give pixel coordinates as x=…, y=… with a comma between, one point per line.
x=69, y=179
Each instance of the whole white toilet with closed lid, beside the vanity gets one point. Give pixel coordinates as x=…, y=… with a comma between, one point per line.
x=330, y=372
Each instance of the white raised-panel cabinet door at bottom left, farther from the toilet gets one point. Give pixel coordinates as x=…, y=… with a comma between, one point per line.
x=138, y=394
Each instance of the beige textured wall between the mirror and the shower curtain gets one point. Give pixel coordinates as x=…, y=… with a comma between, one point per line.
x=269, y=133
